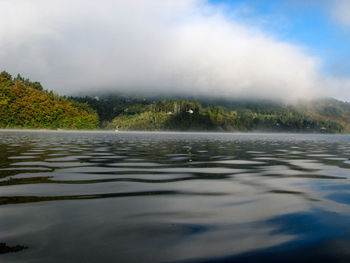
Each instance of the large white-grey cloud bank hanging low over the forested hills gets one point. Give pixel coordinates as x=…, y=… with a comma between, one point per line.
x=159, y=46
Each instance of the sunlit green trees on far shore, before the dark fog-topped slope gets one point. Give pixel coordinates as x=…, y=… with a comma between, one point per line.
x=180, y=114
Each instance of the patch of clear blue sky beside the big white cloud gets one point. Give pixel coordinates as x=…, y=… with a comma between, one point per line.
x=306, y=23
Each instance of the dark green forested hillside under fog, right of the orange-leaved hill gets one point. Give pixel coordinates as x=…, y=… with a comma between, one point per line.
x=326, y=115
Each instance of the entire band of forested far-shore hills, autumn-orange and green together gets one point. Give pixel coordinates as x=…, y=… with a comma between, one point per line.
x=25, y=104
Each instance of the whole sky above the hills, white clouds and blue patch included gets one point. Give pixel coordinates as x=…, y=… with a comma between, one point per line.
x=277, y=49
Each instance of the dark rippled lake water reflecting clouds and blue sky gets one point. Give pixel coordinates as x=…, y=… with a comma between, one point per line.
x=167, y=197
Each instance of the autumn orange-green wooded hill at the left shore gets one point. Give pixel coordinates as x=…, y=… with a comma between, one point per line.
x=25, y=104
